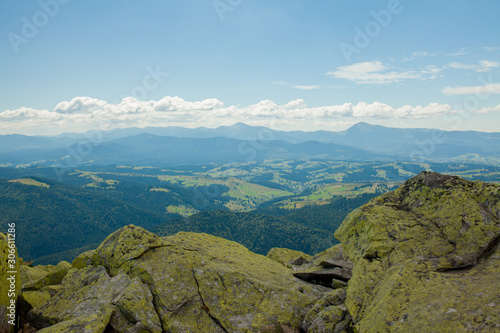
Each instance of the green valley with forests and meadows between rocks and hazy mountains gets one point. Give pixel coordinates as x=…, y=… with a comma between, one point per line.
x=287, y=203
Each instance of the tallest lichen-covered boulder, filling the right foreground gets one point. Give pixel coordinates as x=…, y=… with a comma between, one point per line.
x=426, y=258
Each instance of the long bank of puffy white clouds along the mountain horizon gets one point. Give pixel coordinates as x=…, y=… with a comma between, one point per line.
x=84, y=113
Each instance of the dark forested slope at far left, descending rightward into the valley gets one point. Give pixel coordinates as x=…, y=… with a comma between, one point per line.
x=52, y=217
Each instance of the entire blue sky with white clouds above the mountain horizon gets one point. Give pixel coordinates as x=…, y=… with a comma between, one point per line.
x=79, y=65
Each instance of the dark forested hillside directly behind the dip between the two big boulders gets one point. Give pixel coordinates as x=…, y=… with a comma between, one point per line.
x=309, y=229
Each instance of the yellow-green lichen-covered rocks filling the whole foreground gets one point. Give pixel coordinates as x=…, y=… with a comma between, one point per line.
x=424, y=258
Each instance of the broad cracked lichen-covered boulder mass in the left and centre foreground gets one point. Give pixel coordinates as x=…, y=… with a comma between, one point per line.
x=136, y=281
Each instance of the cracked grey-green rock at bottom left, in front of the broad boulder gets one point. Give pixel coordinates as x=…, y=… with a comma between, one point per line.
x=89, y=297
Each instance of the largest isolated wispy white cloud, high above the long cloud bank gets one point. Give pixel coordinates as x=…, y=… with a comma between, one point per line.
x=372, y=72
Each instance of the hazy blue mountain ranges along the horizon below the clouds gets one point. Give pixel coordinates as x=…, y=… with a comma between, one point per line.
x=172, y=146
